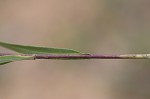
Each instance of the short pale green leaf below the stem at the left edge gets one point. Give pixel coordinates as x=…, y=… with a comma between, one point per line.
x=11, y=58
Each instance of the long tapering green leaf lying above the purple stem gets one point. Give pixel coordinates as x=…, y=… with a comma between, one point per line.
x=36, y=50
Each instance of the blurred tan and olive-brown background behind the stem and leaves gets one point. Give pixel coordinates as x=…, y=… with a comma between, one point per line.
x=89, y=26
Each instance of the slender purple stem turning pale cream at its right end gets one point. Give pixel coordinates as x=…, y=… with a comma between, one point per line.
x=84, y=56
